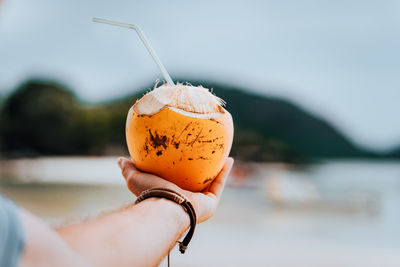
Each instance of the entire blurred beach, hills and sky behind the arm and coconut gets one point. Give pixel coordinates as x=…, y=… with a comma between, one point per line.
x=313, y=88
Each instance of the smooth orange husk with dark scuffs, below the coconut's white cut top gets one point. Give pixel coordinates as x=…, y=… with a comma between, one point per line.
x=187, y=151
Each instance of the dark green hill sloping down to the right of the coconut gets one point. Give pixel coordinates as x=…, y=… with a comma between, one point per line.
x=275, y=129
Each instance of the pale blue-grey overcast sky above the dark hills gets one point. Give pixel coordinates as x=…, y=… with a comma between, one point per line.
x=337, y=59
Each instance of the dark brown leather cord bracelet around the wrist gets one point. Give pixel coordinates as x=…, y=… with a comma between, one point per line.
x=179, y=199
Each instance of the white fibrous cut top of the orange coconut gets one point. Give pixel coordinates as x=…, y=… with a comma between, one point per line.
x=185, y=99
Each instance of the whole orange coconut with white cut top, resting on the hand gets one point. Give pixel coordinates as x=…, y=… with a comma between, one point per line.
x=181, y=133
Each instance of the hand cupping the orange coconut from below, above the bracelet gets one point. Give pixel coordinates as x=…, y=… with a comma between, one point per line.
x=205, y=203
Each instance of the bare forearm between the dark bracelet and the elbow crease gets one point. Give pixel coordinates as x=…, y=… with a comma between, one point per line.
x=139, y=235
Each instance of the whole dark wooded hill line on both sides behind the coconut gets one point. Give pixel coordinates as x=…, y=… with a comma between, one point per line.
x=45, y=118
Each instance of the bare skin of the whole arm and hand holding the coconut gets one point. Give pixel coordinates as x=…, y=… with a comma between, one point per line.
x=135, y=235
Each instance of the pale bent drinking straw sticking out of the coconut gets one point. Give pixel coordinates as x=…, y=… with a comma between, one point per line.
x=145, y=42
